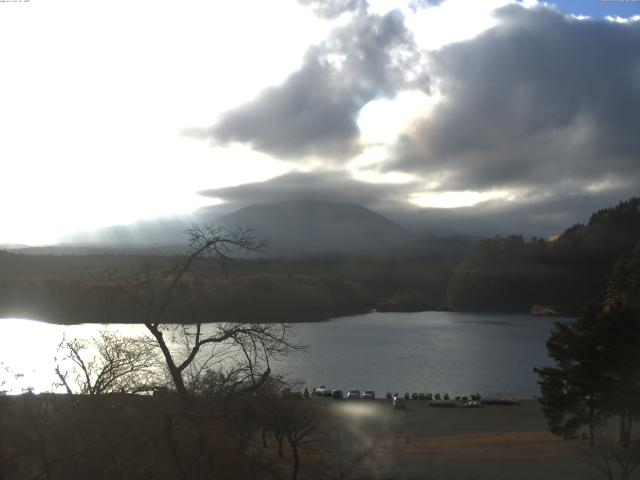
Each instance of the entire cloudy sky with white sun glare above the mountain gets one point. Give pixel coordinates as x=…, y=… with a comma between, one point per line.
x=502, y=115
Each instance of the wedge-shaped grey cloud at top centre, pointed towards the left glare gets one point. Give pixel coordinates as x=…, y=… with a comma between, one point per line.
x=314, y=112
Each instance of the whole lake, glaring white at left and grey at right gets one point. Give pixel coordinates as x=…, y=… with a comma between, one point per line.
x=458, y=353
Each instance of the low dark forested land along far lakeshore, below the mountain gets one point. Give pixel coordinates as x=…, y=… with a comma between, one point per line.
x=66, y=288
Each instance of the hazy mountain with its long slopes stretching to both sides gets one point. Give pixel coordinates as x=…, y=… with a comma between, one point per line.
x=302, y=229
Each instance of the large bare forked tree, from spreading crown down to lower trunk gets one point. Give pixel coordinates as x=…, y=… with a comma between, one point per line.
x=171, y=303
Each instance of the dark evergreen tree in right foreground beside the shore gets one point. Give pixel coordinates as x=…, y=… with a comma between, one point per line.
x=597, y=372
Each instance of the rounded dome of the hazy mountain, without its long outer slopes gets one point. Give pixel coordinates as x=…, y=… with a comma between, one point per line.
x=315, y=228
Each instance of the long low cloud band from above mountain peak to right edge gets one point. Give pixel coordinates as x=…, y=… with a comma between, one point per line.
x=530, y=214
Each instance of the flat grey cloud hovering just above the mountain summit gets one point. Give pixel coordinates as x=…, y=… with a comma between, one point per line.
x=315, y=186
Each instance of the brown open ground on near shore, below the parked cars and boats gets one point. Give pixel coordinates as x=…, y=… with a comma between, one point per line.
x=492, y=442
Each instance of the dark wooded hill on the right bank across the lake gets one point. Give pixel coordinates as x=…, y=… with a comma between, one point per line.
x=509, y=273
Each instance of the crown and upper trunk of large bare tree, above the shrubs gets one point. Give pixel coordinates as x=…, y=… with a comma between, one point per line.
x=166, y=297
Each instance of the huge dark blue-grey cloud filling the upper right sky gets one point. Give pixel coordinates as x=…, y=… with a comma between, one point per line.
x=538, y=100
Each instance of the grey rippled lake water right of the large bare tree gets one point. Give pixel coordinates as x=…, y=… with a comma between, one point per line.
x=458, y=353
